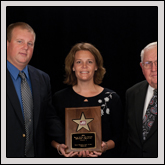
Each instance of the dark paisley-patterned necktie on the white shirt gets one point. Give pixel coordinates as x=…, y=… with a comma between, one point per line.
x=150, y=115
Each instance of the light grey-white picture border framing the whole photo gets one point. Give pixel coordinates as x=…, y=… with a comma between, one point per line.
x=160, y=159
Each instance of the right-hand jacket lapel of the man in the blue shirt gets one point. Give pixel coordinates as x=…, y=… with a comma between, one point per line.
x=34, y=78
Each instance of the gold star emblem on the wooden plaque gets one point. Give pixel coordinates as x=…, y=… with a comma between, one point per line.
x=83, y=122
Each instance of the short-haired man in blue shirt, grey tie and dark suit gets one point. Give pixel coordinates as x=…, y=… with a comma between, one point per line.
x=30, y=114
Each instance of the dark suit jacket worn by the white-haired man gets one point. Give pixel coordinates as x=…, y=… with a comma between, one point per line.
x=135, y=146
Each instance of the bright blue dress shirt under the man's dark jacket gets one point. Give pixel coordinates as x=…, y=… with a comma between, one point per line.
x=14, y=72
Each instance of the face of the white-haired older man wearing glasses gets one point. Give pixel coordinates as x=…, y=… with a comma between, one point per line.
x=150, y=74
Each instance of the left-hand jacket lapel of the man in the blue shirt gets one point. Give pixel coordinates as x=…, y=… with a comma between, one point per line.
x=12, y=95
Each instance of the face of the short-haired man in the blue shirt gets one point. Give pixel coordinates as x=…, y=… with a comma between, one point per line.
x=20, y=48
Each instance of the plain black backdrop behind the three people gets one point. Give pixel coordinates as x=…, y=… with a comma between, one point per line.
x=118, y=32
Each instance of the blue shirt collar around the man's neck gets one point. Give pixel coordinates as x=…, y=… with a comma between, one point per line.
x=14, y=71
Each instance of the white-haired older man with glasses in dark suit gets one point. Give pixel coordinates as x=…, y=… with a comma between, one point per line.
x=141, y=127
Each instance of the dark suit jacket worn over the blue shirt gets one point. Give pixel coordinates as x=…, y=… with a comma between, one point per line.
x=45, y=119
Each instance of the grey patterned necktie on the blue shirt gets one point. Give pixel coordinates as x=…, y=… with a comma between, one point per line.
x=27, y=102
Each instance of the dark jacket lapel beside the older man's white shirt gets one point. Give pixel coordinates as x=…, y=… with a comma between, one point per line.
x=140, y=99
